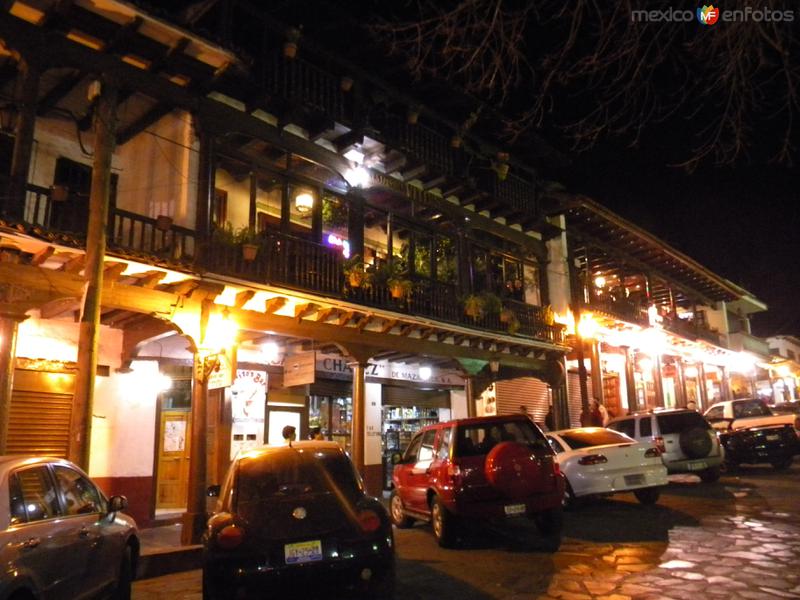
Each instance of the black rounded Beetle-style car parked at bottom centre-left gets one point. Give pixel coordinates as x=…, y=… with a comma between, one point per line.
x=297, y=517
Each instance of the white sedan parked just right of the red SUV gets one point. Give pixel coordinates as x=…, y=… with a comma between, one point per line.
x=599, y=461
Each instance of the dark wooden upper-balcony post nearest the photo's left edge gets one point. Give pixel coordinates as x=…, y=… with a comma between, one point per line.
x=27, y=95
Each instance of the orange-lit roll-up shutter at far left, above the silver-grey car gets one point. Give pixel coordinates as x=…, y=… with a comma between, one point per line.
x=40, y=413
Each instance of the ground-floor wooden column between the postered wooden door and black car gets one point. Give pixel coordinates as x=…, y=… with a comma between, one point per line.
x=194, y=519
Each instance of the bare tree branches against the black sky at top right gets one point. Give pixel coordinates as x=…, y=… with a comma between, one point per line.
x=591, y=70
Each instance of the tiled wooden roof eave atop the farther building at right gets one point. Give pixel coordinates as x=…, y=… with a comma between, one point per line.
x=612, y=244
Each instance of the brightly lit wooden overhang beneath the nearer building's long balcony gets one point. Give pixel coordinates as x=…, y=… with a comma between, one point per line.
x=143, y=301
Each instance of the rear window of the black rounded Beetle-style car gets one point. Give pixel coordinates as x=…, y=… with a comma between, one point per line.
x=292, y=472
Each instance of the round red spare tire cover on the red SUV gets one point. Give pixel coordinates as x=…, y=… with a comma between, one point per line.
x=513, y=470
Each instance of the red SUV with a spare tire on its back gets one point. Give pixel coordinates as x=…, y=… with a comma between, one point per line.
x=478, y=468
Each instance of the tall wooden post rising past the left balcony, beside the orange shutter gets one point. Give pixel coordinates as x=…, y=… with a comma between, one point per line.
x=105, y=122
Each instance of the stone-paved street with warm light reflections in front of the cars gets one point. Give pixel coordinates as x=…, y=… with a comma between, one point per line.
x=737, y=538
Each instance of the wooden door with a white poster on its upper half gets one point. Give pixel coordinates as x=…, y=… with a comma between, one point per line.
x=173, y=459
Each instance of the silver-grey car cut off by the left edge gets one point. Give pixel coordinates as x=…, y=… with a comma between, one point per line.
x=60, y=537
